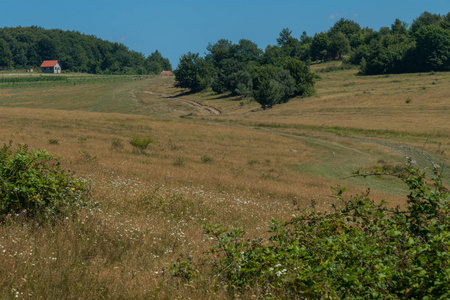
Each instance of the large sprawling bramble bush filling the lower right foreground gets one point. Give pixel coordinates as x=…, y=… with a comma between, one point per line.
x=361, y=250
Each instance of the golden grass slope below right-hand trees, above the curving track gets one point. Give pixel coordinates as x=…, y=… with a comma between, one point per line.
x=345, y=99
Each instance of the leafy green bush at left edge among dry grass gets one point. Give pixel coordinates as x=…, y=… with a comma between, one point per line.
x=32, y=184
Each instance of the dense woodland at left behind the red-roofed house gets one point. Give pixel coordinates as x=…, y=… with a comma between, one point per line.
x=27, y=47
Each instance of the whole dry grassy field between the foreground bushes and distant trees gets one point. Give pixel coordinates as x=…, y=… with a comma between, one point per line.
x=239, y=168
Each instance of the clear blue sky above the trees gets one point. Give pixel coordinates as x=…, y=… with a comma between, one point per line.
x=175, y=27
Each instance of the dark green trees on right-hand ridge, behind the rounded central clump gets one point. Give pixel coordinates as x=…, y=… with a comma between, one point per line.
x=422, y=46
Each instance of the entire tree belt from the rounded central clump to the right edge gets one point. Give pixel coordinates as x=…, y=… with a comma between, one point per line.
x=281, y=71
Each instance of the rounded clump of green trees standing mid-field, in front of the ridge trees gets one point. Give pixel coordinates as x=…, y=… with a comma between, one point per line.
x=245, y=70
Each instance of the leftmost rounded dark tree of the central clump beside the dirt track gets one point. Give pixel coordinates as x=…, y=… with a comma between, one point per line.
x=189, y=73
